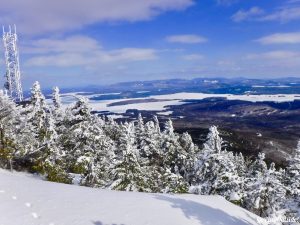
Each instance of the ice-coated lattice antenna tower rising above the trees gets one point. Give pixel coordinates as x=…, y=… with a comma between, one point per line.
x=13, y=74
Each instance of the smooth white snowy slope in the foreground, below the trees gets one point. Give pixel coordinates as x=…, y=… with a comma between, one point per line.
x=25, y=200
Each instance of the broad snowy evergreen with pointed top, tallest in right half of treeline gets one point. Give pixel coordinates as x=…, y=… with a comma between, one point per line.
x=216, y=170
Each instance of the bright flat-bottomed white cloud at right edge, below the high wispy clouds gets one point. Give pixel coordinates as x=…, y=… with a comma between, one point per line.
x=281, y=38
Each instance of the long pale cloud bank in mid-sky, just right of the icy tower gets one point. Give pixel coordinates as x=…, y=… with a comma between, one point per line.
x=80, y=51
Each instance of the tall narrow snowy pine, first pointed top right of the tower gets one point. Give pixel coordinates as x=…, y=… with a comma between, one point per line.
x=46, y=150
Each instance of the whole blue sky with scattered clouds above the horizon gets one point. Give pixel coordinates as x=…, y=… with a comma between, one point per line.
x=72, y=43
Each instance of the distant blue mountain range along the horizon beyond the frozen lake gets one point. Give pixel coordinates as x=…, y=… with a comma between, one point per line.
x=287, y=85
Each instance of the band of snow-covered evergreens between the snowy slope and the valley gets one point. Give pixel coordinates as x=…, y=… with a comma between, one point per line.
x=59, y=143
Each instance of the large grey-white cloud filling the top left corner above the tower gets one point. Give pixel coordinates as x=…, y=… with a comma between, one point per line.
x=39, y=16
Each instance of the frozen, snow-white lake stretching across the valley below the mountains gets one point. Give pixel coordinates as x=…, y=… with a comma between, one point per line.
x=171, y=99
